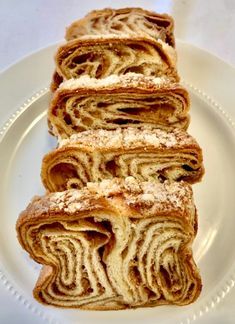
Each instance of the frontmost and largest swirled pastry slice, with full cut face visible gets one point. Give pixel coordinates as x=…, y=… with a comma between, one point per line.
x=113, y=245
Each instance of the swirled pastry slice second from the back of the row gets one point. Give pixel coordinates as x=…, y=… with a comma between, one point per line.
x=100, y=57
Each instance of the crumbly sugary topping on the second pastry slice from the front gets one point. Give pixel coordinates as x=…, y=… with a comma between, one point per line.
x=130, y=137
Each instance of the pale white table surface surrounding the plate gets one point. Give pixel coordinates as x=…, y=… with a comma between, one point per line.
x=29, y=25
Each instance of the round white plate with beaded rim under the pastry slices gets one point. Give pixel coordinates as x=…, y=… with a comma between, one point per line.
x=24, y=140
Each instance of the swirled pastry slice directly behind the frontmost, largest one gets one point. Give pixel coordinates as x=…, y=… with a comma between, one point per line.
x=147, y=154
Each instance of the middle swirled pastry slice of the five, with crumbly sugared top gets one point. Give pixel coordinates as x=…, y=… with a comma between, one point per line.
x=117, y=101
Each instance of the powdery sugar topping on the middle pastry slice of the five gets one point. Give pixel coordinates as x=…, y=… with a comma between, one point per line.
x=129, y=80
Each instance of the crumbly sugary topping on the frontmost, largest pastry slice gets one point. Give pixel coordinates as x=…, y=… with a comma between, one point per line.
x=162, y=196
